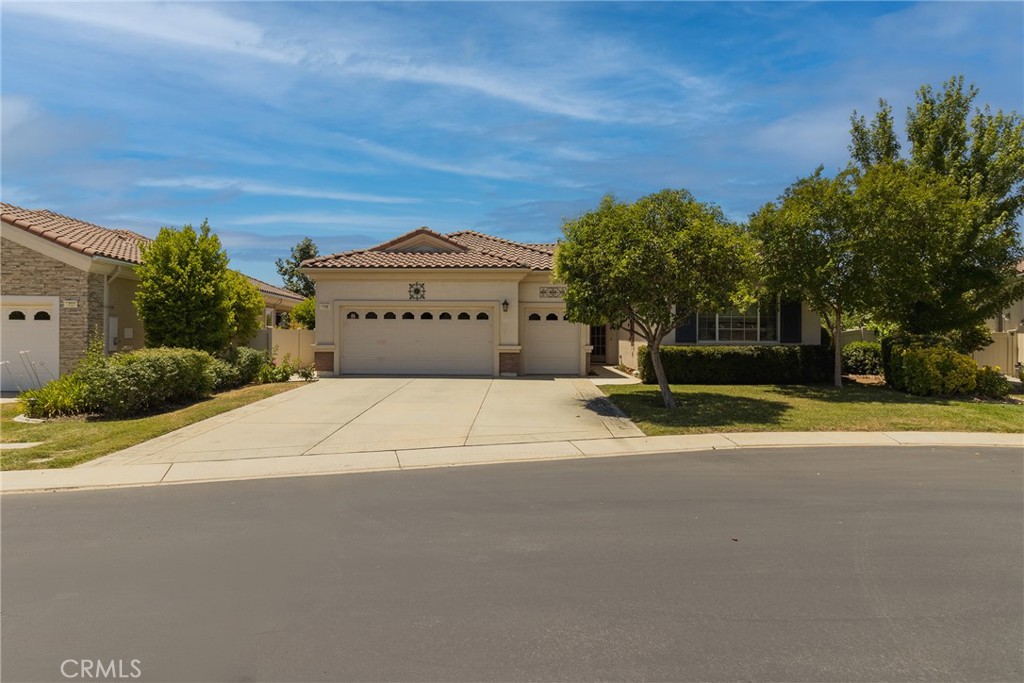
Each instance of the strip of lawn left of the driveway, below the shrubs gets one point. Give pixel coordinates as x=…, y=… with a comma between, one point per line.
x=69, y=442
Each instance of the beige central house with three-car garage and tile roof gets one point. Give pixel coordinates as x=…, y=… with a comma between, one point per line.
x=467, y=304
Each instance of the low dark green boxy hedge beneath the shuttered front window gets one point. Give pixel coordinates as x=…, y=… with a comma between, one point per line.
x=740, y=365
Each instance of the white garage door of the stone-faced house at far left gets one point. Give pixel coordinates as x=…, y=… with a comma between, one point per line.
x=30, y=343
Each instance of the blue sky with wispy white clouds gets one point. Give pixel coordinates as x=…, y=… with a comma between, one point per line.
x=355, y=122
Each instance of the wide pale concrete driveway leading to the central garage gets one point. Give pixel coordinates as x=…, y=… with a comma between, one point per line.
x=374, y=414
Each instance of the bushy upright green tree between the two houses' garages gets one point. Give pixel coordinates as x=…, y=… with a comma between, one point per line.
x=183, y=296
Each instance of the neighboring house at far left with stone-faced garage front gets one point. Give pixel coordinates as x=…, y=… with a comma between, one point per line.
x=64, y=281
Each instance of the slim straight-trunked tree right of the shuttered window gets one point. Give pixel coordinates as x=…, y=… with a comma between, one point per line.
x=814, y=245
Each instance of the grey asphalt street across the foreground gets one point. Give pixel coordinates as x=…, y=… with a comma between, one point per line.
x=800, y=565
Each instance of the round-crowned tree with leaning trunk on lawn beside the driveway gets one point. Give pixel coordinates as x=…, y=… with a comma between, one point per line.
x=648, y=267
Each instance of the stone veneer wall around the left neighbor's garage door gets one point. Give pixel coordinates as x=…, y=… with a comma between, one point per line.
x=25, y=272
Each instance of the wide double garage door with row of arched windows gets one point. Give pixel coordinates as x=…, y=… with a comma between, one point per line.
x=396, y=340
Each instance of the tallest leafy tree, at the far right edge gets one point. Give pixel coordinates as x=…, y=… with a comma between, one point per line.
x=969, y=266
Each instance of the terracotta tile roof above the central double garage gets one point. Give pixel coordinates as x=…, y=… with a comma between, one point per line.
x=479, y=251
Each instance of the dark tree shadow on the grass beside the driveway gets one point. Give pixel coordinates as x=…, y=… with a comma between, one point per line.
x=701, y=409
